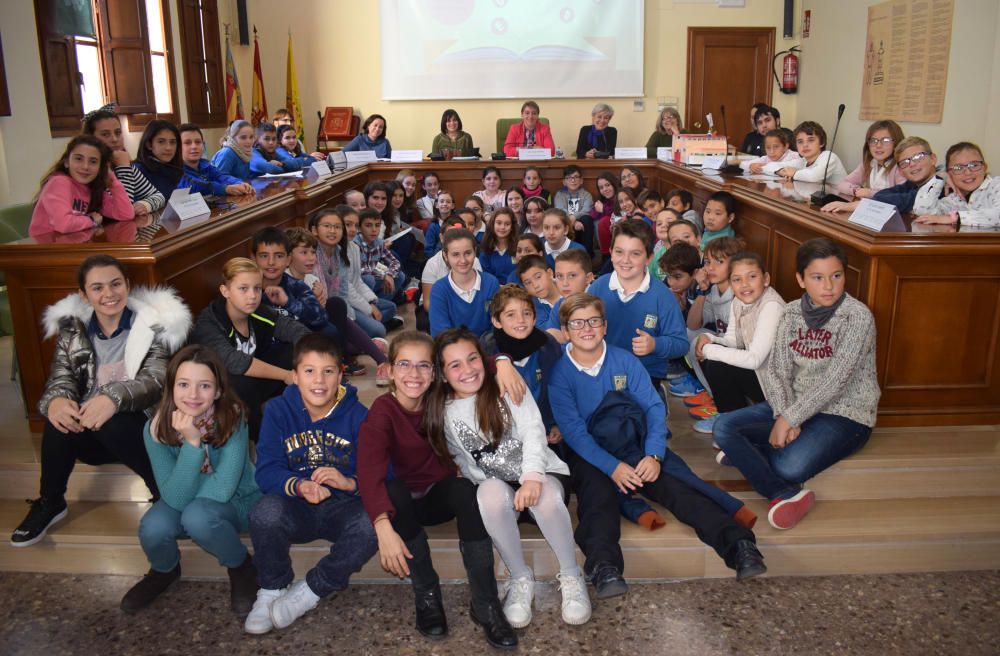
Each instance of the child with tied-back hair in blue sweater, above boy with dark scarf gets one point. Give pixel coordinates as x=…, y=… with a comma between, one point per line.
x=462, y=298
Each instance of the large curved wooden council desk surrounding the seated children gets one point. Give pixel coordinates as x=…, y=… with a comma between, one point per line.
x=935, y=294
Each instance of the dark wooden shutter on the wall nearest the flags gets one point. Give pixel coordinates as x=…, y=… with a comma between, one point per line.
x=203, y=78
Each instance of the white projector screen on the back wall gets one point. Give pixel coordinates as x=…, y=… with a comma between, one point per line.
x=458, y=49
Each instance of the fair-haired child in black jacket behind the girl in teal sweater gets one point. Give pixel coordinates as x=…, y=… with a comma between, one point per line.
x=254, y=341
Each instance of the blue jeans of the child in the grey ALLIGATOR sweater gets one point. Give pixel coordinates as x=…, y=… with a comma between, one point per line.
x=779, y=473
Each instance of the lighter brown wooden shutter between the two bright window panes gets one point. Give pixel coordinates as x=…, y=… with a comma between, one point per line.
x=128, y=73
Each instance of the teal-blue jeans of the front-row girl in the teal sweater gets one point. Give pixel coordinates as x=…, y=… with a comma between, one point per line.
x=214, y=526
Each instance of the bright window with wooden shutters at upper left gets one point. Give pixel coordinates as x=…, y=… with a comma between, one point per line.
x=118, y=52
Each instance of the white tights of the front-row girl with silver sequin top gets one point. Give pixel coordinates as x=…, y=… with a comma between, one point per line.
x=496, y=505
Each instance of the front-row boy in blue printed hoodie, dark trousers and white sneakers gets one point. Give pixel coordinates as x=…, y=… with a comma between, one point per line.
x=305, y=467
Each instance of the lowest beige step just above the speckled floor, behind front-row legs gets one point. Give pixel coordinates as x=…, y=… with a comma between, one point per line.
x=838, y=537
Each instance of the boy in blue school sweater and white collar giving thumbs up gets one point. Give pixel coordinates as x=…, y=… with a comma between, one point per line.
x=647, y=321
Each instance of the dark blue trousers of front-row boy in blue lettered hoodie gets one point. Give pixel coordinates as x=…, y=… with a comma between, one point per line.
x=277, y=522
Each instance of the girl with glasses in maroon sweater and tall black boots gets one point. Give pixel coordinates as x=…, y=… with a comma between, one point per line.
x=423, y=491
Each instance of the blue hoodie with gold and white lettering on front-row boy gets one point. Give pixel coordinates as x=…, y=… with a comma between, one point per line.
x=292, y=446
